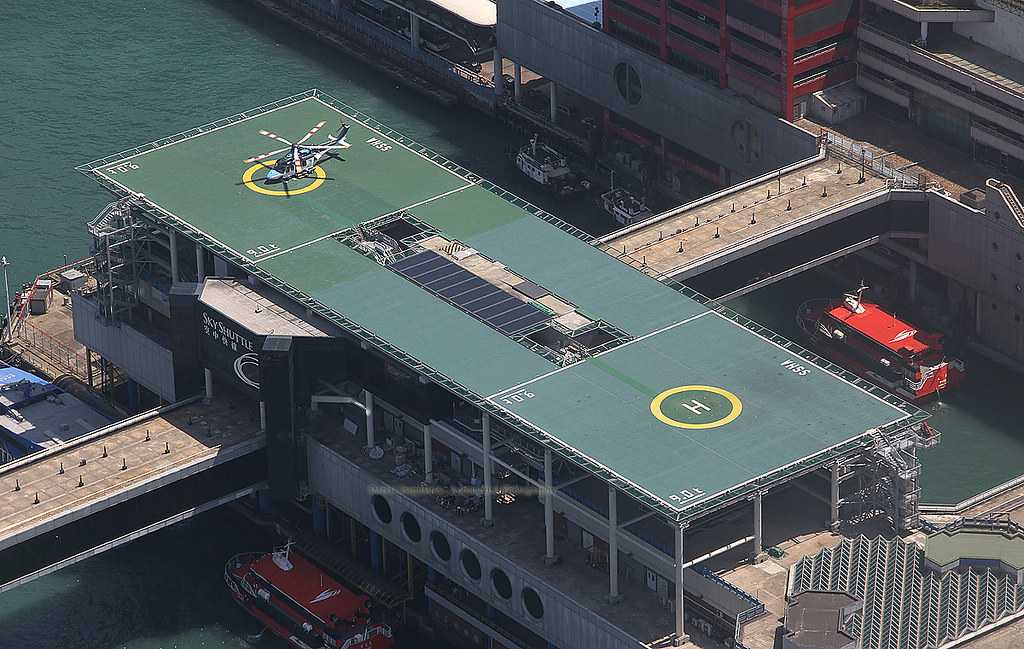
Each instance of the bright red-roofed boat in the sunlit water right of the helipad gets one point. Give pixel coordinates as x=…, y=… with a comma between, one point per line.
x=879, y=347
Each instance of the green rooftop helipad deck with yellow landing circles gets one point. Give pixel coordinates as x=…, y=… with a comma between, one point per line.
x=692, y=406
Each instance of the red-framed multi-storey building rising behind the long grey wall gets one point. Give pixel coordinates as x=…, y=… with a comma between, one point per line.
x=777, y=54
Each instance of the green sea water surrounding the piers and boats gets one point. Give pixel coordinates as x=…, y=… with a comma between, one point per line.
x=81, y=80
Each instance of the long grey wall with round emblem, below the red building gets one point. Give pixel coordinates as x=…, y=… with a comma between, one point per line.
x=715, y=123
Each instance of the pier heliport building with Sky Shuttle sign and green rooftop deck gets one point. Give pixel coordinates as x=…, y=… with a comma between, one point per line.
x=457, y=387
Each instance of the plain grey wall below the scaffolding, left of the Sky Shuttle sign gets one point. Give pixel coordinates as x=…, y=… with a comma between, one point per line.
x=137, y=355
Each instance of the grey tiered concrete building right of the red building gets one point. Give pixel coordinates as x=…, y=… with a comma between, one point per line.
x=956, y=69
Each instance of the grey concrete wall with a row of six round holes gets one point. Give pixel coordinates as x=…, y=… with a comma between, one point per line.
x=566, y=624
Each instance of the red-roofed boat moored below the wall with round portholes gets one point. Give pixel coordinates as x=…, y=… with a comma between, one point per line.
x=298, y=602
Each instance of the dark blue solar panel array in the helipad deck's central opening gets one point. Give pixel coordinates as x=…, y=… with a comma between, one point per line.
x=470, y=292
